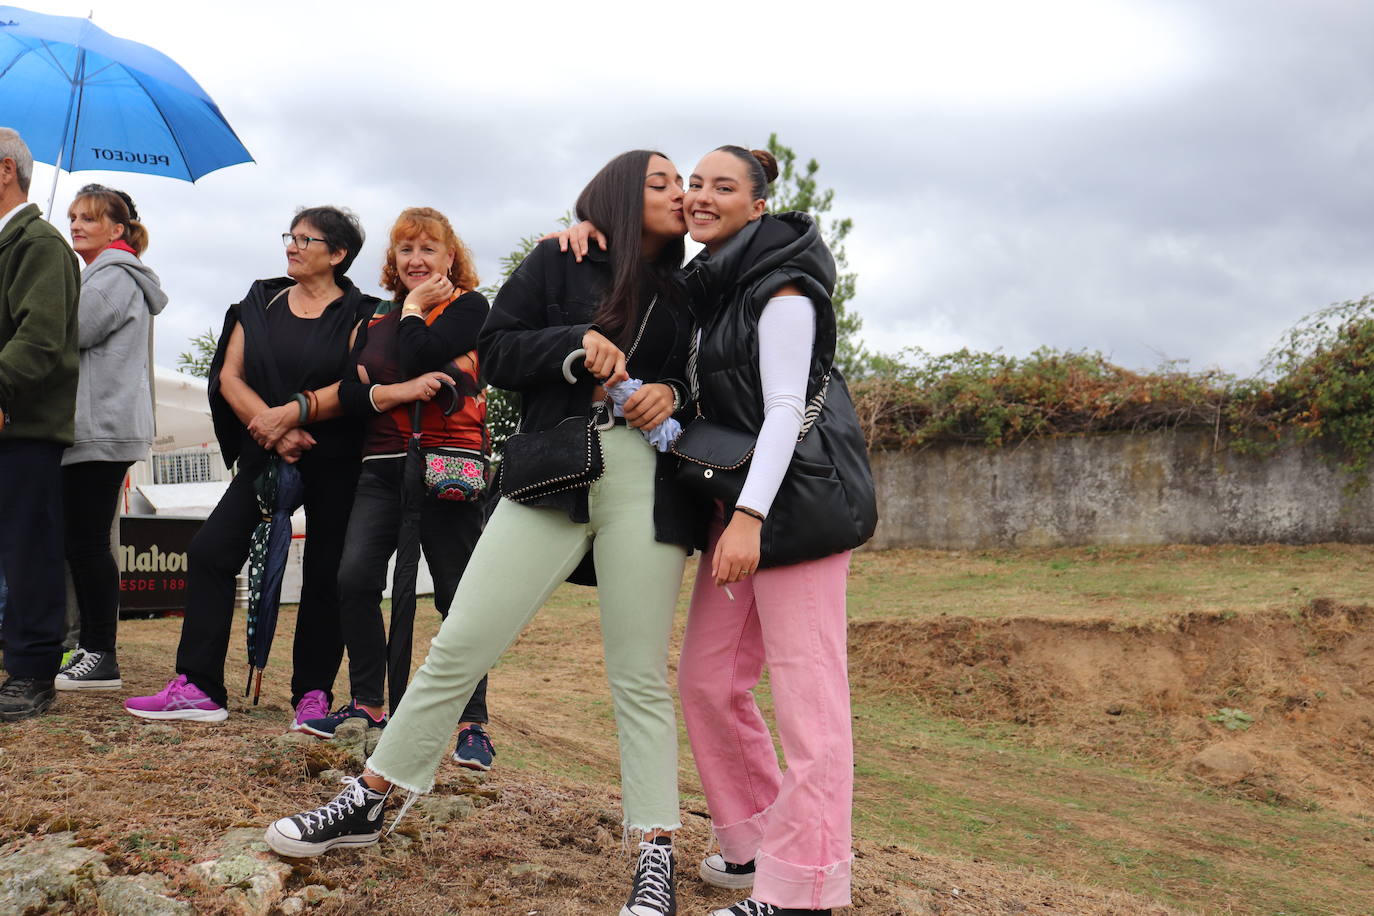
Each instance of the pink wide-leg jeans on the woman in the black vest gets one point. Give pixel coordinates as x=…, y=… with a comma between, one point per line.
x=795, y=826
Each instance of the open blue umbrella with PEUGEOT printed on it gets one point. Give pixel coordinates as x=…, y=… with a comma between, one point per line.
x=86, y=100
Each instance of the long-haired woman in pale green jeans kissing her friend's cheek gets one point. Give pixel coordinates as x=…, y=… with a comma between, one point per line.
x=623, y=310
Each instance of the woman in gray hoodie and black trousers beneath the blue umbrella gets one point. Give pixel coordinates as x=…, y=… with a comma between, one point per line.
x=115, y=415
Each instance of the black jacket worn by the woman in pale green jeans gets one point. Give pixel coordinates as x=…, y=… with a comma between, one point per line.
x=539, y=318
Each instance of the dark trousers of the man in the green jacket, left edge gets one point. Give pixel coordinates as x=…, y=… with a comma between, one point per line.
x=31, y=557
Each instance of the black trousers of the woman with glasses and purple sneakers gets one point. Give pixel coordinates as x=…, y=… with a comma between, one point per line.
x=219, y=551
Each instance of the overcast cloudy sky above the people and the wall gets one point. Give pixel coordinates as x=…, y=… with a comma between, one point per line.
x=1152, y=181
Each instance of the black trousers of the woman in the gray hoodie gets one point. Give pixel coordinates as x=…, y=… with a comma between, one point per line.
x=90, y=501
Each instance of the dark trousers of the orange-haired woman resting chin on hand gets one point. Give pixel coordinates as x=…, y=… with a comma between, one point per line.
x=449, y=534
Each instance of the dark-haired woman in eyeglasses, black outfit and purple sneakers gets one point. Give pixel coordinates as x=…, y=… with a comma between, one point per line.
x=274, y=392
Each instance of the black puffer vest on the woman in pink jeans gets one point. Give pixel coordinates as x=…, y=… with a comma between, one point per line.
x=826, y=502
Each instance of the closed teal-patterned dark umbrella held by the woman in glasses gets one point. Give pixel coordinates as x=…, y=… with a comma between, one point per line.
x=281, y=492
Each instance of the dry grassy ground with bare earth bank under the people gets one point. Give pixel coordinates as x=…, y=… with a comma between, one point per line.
x=987, y=764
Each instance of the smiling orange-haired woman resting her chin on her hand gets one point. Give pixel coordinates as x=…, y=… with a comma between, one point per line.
x=417, y=347
